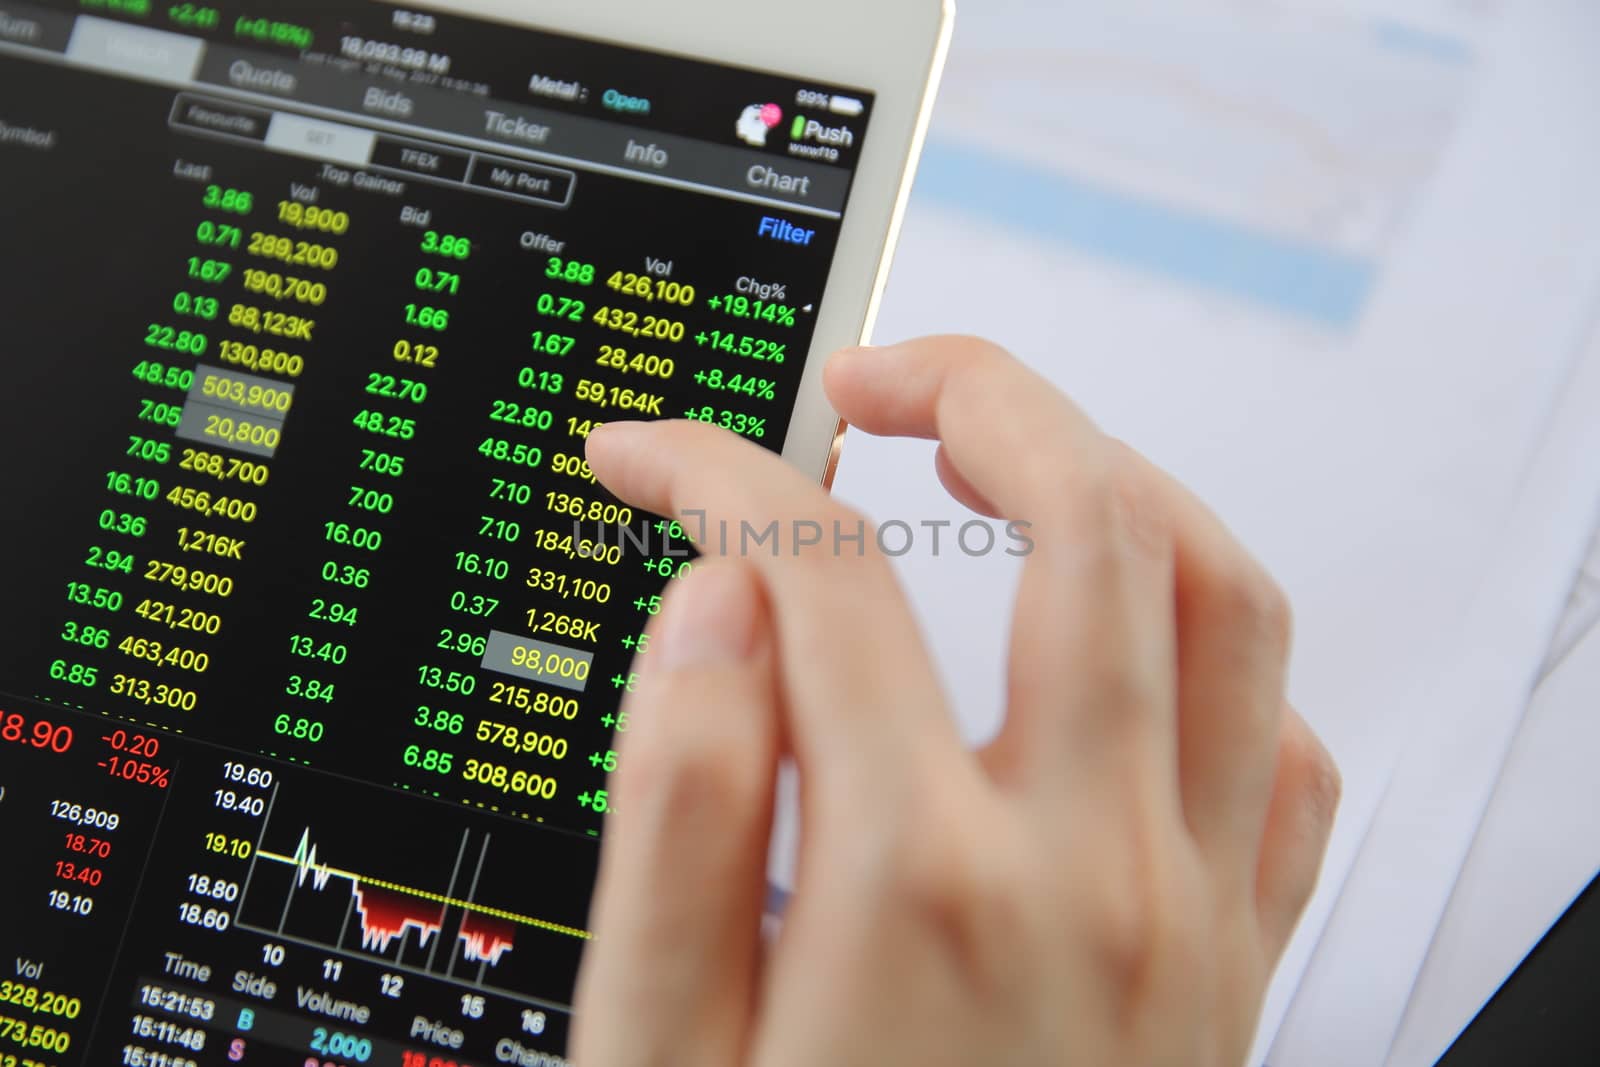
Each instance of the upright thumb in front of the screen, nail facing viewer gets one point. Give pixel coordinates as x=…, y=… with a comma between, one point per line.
x=673, y=972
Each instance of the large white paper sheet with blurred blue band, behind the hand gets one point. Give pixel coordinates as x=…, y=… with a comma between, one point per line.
x=1324, y=263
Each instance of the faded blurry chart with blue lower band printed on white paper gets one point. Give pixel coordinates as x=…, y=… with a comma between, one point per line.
x=1263, y=153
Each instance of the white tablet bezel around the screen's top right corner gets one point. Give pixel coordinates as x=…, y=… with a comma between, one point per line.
x=895, y=49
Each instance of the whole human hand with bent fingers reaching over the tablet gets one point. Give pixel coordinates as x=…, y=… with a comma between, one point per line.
x=1110, y=884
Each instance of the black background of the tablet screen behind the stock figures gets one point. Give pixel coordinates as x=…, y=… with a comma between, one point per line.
x=98, y=234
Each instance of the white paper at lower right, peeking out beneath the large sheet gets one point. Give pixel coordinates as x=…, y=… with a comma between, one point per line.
x=1367, y=965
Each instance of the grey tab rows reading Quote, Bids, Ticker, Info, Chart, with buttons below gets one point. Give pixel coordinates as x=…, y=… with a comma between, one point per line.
x=391, y=122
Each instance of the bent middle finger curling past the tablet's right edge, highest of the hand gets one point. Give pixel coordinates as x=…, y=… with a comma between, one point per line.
x=1090, y=677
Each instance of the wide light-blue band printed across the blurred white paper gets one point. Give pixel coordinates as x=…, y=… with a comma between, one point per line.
x=1292, y=278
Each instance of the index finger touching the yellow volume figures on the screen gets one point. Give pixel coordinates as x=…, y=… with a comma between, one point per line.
x=862, y=698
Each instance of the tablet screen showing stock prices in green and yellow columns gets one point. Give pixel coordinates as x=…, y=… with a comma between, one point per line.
x=316, y=625
